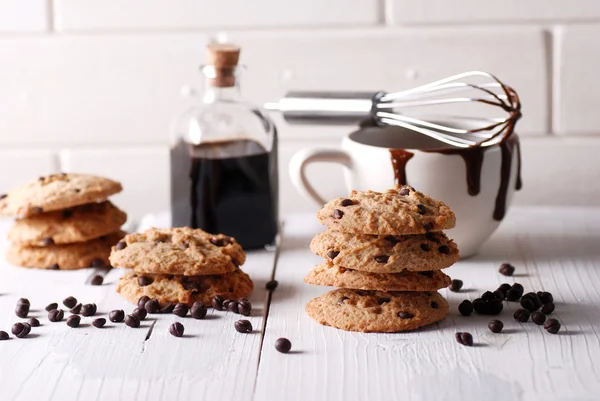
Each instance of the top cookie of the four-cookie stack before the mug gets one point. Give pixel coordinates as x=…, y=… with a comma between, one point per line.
x=400, y=210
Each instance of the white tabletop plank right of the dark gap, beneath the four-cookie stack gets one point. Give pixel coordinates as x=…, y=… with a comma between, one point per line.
x=554, y=249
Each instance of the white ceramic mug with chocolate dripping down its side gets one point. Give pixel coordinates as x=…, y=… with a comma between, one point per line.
x=367, y=161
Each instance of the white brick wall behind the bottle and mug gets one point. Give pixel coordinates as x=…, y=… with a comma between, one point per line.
x=93, y=85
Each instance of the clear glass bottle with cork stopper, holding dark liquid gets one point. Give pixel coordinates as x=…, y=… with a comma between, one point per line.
x=224, y=160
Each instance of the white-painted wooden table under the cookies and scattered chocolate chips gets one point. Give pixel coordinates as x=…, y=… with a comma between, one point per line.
x=553, y=249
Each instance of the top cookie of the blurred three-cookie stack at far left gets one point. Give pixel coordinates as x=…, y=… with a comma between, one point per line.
x=56, y=192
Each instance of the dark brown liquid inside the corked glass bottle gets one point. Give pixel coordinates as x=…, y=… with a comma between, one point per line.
x=234, y=195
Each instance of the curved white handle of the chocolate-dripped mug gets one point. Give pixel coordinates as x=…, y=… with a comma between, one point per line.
x=303, y=158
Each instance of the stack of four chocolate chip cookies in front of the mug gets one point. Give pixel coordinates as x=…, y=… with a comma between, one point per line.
x=385, y=251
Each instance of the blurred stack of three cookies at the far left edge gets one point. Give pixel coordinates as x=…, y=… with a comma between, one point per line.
x=63, y=222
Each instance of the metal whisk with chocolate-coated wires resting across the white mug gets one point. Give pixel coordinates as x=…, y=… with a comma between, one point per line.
x=406, y=109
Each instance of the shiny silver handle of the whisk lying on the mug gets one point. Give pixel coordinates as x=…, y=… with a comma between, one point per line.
x=336, y=108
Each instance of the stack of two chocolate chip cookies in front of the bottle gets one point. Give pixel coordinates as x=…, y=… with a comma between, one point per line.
x=180, y=265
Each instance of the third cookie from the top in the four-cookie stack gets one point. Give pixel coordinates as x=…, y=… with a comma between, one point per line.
x=335, y=276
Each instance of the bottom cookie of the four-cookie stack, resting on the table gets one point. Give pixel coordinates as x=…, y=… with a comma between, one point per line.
x=375, y=311
